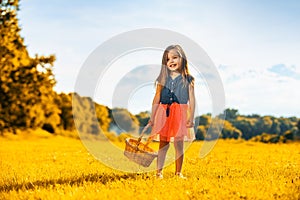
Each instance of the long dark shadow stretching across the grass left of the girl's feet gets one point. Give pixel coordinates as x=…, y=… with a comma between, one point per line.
x=95, y=178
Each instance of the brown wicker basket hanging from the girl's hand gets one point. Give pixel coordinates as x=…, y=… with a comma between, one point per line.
x=138, y=152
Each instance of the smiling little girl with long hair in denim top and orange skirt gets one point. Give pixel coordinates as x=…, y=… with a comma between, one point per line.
x=173, y=106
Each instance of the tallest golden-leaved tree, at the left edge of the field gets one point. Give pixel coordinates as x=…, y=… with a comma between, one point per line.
x=26, y=84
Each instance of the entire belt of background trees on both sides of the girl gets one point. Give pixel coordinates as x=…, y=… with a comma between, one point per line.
x=28, y=101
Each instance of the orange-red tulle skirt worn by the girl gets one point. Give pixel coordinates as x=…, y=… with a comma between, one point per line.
x=173, y=125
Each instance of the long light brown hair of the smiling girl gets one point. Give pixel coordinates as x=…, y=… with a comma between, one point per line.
x=164, y=71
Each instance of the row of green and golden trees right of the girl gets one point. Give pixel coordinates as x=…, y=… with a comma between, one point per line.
x=254, y=127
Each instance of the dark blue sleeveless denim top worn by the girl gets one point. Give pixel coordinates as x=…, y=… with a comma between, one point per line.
x=175, y=91
